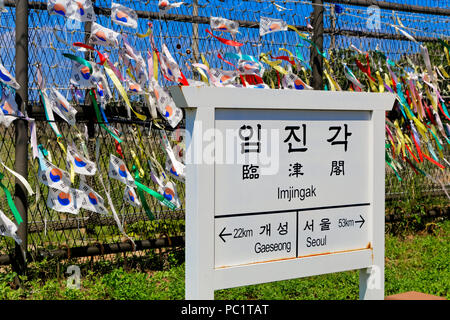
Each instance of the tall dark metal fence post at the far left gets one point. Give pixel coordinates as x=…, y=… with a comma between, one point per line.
x=21, y=132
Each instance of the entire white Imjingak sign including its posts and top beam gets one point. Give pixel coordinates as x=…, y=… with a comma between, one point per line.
x=283, y=184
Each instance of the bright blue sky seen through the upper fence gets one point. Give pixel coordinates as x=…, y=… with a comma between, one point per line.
x=46, y=49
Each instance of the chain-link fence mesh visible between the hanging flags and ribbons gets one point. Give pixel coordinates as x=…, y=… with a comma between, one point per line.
x=346, y=25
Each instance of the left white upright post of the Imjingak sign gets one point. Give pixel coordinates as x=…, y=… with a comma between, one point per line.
x=199, y=208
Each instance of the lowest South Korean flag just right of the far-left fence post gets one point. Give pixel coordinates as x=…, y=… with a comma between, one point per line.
x=68, y=202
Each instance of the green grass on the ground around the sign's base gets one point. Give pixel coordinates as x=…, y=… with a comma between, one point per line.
x=417, y=262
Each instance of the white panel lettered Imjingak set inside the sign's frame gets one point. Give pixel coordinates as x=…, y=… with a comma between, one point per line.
x=282, y=194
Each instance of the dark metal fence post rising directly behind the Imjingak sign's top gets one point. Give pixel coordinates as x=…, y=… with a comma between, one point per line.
x=317, y=38
